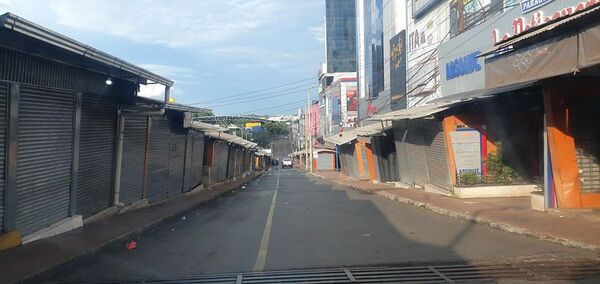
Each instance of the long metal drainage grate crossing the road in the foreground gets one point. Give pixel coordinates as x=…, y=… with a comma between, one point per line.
x=459, y=273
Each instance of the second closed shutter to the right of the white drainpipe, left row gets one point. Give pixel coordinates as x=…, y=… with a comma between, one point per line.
x=158, y=160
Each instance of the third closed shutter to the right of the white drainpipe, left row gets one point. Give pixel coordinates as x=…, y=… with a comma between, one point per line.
x=176, y=163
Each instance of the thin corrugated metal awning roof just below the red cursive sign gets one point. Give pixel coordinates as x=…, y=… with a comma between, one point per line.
x=541, y=29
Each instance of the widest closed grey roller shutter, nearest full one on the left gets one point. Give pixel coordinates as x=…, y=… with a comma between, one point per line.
x=45, y=155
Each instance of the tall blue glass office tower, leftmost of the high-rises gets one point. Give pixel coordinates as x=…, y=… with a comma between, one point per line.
x=340, y=30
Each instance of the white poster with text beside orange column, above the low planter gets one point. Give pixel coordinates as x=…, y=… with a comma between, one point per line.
x=466, y=146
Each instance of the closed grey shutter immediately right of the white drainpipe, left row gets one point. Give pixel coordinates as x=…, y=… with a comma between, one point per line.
x=134, y=154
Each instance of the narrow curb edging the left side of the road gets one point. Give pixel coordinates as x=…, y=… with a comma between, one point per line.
x=71, y=262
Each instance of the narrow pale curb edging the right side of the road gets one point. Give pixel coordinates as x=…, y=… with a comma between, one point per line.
x=477, y=220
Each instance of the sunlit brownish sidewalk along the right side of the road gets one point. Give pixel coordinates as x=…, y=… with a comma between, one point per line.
x=575, y=228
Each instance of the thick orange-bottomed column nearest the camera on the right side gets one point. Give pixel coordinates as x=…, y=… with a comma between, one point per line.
x=561, y=145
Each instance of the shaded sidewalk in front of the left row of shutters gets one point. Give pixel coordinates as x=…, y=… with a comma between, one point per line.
x=30, y=263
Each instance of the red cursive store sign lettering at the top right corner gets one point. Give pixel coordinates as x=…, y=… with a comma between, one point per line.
x=522, y=24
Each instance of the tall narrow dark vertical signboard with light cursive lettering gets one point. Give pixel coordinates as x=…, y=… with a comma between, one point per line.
x=398, y=71
